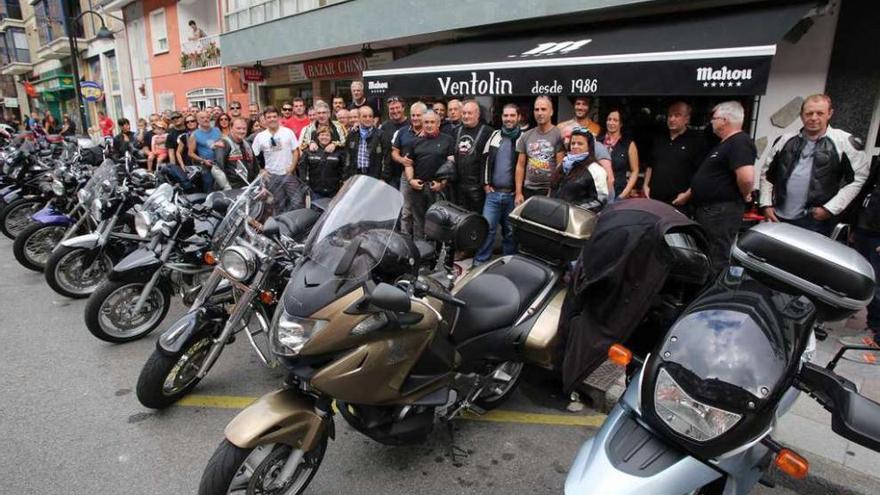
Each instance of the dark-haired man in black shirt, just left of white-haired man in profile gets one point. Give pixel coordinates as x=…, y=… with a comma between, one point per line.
x=675, y=157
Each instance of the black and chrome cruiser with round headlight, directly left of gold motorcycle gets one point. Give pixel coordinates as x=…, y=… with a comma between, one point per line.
x=255, y=265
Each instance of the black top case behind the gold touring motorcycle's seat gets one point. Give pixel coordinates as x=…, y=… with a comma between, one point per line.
x=551, y=229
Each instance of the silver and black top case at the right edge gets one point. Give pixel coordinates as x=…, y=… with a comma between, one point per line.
x=837, y=279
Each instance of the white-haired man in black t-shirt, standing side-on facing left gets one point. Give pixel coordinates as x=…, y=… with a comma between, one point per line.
x=724, y=182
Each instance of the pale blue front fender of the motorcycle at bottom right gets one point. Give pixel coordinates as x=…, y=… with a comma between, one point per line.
x=625, y=458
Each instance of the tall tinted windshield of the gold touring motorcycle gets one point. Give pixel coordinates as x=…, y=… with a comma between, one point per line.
x=352, y=236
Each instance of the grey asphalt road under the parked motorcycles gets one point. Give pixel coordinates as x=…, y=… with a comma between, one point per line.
x=71, y=424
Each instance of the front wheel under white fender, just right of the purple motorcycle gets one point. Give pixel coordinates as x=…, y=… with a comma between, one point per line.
x=71, y=272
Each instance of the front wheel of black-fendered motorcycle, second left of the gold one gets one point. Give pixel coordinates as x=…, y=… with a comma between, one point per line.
x=110, y=315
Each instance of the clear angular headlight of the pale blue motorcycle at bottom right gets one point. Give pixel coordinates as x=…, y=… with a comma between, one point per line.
x=687, y=416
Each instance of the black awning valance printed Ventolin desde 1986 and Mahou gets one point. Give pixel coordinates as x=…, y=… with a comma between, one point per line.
x=733, y=76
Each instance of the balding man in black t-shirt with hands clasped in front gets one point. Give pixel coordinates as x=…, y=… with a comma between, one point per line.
x=428, y=153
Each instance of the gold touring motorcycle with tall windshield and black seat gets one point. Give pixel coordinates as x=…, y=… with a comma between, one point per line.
x=397, y=351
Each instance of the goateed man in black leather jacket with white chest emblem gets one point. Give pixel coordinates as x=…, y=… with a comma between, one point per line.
x=470, y=142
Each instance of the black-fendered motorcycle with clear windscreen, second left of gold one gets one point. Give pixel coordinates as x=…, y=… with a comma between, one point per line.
x=136, y=294
